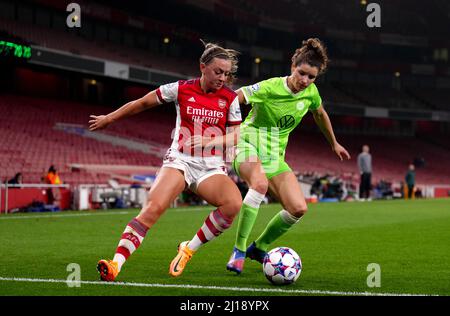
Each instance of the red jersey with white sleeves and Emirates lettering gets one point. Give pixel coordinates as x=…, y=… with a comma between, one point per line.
x=200, y=113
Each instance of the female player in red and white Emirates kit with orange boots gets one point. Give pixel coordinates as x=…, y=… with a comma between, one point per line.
x=205, y=108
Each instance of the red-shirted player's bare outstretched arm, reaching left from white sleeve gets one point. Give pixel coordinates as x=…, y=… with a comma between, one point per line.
x=102, y=121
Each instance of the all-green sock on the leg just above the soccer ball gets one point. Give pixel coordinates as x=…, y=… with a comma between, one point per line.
x=277, y=227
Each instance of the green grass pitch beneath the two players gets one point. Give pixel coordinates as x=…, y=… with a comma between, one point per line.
x=409, y=240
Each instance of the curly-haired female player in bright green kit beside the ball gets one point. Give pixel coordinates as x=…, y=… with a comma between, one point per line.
x=278, y=106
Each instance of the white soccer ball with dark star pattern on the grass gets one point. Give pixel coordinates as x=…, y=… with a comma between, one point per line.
x=282, y=266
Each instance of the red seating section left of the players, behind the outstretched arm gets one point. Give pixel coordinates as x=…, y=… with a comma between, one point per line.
x=30, y=143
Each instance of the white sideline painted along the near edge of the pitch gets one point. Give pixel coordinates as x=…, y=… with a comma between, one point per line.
x=217, y=288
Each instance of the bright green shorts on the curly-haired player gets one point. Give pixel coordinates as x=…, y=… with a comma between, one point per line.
x=272, y=165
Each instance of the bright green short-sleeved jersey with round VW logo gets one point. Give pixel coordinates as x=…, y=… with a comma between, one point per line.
x=276, y=111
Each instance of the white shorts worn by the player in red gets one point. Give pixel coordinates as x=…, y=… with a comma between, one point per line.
x=195, y=169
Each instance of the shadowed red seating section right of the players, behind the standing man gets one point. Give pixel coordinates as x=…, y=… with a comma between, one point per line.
x=309, y=151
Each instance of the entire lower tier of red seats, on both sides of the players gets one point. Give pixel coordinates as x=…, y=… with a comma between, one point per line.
x=31, y=143
